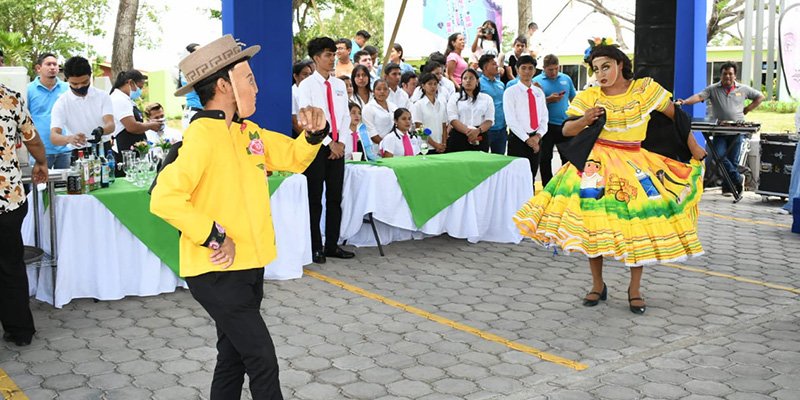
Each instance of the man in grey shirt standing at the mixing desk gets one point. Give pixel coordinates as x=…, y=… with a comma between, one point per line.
x=727, y=104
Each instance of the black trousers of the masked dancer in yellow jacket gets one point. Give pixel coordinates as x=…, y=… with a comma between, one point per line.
x=233, y=300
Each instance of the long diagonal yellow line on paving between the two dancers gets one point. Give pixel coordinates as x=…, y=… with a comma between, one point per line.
x=453, y=324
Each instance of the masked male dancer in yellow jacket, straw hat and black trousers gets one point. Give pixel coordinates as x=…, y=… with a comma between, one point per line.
x=216, y=193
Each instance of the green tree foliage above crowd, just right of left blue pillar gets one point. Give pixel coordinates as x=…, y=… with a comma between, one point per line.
x=337, y=19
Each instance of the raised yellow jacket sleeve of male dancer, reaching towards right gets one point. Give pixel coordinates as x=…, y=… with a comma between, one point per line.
x=283, y=153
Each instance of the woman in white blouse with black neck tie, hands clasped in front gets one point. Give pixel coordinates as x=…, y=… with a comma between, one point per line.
x=471, y=114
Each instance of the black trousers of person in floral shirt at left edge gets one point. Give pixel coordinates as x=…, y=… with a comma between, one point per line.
x=15, y=309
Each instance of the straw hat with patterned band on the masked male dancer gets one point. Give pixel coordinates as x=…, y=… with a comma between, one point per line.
x=208, y=59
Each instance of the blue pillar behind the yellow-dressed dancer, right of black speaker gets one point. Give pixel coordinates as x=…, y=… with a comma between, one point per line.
x=690, y=53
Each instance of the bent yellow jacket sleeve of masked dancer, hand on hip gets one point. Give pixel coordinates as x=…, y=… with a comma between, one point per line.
x=171, y=197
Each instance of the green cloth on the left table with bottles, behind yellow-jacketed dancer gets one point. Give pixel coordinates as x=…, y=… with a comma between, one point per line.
x=131, y=205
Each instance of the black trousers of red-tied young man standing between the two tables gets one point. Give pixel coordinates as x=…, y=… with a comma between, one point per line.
x=331, y=174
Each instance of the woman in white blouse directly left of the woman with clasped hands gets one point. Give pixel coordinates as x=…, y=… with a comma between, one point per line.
x=431, y=113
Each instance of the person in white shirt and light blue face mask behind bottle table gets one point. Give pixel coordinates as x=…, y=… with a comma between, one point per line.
x=130, y=126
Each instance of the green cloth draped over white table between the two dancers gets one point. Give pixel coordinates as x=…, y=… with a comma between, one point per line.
x=430, y=185
